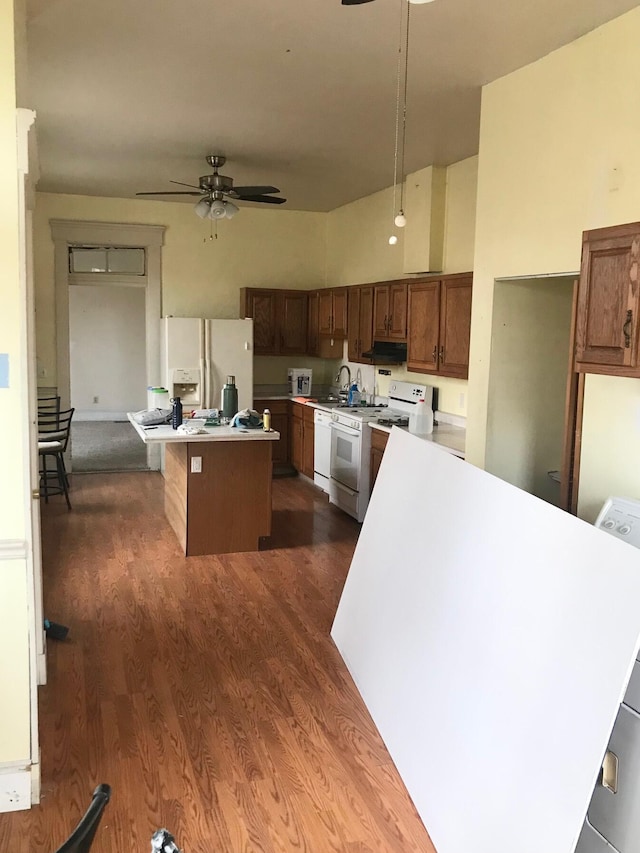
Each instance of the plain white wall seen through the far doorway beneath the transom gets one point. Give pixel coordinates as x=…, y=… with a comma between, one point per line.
x=107, y=350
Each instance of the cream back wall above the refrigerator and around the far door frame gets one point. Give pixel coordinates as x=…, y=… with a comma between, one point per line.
x=200, y=277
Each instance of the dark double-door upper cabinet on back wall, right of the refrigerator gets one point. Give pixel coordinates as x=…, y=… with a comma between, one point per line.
x=279, y=320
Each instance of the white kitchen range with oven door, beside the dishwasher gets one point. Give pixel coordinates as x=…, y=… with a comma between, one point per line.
x=351, y=443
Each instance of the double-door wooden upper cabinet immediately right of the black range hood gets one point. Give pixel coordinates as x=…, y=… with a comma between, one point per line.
x=439, y=325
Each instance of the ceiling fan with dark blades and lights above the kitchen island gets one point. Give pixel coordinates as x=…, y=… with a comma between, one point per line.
x=216, y=189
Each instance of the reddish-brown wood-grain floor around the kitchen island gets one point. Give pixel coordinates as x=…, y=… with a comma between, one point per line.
x=206, y=691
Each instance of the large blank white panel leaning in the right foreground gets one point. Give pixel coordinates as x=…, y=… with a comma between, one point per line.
x=491, y=636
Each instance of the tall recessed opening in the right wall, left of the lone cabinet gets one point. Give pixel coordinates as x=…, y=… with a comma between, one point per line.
x=532, y=320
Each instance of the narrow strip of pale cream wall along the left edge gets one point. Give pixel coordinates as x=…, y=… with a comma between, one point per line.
x=14, y=625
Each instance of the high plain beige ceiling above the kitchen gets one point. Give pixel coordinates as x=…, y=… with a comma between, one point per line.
x=300, y=94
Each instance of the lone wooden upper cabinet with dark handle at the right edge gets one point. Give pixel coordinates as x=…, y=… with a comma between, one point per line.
x=607, y=322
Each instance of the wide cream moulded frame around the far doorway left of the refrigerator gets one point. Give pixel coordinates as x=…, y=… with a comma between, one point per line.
x=68, y=232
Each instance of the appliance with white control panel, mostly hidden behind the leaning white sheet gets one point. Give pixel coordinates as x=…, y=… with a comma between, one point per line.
x=613, y=818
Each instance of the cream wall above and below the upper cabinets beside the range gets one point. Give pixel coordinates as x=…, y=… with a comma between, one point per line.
x=358, y=251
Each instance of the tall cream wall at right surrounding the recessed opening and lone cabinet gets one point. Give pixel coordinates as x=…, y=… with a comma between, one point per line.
x=559, y=154
